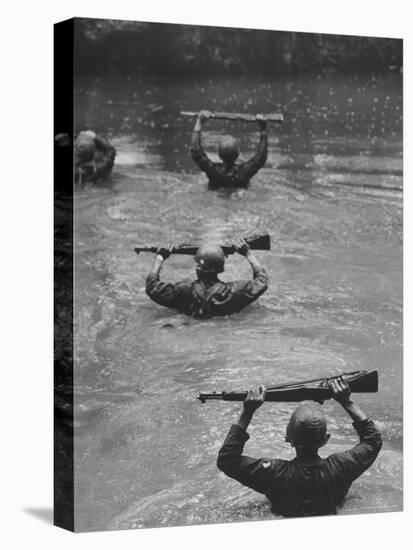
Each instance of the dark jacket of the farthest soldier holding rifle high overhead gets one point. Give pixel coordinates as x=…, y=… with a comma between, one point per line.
x=222, y=176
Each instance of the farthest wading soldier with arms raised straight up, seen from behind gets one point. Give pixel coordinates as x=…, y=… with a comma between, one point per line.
x=228, y=173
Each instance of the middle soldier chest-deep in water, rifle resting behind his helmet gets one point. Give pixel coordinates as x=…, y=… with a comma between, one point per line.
x=207, y=296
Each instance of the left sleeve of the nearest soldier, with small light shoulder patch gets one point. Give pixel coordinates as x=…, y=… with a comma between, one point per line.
x=254, y=473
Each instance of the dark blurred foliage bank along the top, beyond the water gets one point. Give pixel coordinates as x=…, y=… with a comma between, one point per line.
x=132, y=48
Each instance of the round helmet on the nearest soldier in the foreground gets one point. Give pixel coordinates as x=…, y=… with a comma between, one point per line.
x=307, y=427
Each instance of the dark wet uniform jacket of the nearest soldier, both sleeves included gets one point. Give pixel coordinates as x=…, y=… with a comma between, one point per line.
x=301, y=487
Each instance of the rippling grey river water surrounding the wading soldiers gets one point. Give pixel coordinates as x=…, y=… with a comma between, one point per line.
x=331, y=198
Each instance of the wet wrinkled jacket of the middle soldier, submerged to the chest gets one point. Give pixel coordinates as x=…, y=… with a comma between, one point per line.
x=199, y=300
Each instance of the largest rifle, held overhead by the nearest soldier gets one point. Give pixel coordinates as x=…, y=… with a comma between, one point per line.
x=311, y=390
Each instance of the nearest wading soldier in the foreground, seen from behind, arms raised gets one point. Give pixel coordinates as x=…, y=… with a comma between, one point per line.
x=307, y=485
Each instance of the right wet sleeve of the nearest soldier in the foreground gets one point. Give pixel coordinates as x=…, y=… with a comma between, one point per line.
x=351, y=464
